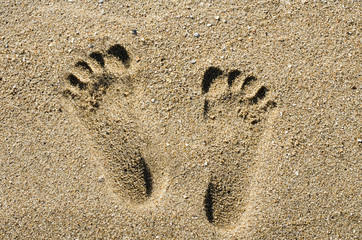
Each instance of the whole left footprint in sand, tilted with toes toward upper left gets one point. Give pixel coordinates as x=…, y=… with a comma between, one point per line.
x=114, y=125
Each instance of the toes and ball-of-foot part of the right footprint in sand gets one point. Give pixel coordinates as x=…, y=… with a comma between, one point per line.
x=226, y=94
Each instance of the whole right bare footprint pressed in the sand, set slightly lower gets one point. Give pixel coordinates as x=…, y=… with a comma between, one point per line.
x=236, y=105
